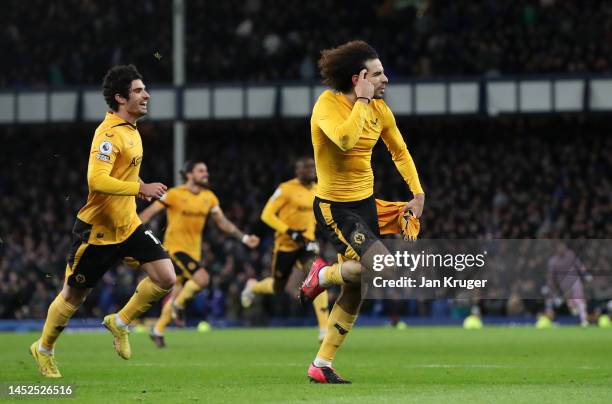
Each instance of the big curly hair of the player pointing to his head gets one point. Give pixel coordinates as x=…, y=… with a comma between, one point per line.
x=338, y=65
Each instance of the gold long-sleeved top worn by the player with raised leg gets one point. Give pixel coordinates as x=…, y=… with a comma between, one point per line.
x=343, y=136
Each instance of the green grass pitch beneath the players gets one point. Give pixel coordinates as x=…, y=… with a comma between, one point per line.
x=419, y=364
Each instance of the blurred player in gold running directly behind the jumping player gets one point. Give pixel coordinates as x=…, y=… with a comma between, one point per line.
x=289, y=212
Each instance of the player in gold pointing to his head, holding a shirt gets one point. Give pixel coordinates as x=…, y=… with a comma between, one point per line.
x=346, y=124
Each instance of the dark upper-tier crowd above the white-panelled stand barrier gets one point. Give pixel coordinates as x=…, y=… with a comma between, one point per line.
x=256, y=40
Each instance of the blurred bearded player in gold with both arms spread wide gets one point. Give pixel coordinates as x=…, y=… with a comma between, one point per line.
x=188, y=207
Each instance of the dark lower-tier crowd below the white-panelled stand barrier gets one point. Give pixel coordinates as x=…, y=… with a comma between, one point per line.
x=519, y=177
